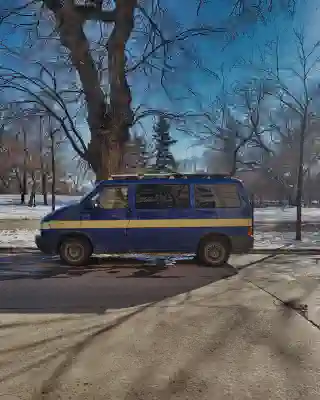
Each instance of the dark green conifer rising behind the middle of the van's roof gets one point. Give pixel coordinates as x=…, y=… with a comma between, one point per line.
x=163, y=142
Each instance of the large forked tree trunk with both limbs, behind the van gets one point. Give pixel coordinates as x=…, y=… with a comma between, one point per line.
x=110, y=122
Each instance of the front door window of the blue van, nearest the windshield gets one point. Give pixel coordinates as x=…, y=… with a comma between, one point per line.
x=111, y=198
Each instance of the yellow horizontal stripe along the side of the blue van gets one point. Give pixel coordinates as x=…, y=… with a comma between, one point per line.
x=148, y=223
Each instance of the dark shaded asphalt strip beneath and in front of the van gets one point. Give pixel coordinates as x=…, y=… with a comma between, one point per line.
x=32, y=283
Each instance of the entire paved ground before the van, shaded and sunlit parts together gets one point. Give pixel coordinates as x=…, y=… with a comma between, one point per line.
x=229, y=340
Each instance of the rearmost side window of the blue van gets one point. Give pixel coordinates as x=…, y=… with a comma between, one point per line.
x=217, y=196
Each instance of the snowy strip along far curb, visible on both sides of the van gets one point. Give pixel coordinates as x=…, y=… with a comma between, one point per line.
x=266, y=240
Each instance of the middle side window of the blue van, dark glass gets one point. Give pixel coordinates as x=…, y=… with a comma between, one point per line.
x=157, y=196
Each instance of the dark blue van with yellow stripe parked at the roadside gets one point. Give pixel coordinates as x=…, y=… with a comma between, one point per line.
x=206, y=215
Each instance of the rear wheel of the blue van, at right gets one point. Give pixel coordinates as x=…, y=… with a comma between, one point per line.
x=214, y=251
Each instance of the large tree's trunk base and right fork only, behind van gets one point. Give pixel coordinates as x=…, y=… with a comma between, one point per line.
x=107, y=146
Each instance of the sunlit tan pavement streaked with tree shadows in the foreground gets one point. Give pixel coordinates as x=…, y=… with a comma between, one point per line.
x=229, y=340
